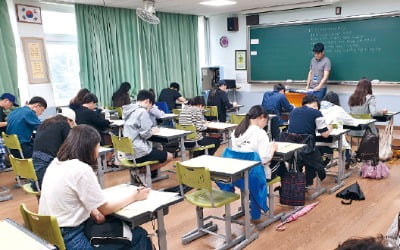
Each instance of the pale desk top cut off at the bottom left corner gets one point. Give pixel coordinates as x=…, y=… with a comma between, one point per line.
x=15, y=237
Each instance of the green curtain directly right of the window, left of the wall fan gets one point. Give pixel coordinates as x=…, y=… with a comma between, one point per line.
x=108, y=49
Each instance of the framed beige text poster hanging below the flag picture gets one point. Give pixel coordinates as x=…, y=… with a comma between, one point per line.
x=35, y=60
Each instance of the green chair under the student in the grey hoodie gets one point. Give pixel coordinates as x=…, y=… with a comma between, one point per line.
x=124, y=145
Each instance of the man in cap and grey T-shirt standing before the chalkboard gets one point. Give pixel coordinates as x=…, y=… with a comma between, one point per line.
x=320, y=68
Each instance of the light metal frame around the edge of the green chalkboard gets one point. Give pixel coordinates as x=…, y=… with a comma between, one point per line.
x=313, y=21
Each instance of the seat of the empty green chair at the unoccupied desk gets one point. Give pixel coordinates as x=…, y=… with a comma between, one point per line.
x=201, y=198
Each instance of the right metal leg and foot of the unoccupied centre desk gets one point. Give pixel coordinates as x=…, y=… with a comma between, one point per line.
x=249, y=237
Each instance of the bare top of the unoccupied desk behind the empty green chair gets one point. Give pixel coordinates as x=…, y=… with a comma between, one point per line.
x=219, y=165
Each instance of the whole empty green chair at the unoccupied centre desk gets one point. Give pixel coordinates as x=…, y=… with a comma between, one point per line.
x=205, y=197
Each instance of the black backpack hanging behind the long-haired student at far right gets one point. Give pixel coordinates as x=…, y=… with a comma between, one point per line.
x=368, y=148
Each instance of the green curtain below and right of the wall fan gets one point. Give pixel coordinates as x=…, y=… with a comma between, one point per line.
x=169, y=53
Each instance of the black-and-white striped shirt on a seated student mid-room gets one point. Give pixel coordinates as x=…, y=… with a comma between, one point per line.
x=193, y=115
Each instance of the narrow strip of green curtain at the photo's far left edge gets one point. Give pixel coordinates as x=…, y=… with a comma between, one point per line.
x=8, y=54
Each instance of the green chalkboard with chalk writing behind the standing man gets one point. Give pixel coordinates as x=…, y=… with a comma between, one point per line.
x=357, y=48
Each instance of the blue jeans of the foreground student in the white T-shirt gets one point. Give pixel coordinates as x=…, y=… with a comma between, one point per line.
x=75, y=239
